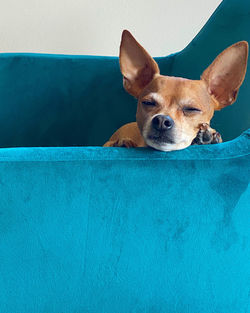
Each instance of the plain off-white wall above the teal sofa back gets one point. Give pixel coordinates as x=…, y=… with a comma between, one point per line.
x=95, y=26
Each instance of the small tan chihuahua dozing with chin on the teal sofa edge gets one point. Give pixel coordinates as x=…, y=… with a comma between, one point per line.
x=174, y=112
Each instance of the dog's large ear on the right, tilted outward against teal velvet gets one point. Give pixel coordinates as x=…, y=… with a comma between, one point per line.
x=226, y=74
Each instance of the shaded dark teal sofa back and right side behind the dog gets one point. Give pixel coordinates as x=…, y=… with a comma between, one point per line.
x=63, y=100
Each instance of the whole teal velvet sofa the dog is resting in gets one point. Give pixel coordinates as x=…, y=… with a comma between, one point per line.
x=86, y=229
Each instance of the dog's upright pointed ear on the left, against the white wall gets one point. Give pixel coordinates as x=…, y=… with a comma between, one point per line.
x=137, y=66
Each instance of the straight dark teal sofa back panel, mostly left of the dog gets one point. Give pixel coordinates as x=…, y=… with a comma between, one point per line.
x=59, y=100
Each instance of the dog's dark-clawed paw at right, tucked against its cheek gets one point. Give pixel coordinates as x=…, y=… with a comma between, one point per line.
x=206, y=135
